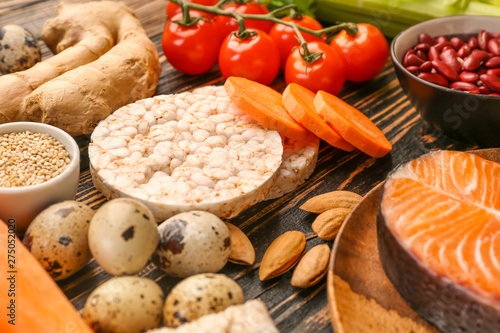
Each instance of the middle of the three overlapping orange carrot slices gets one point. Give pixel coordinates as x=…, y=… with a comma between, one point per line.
x=299, y=102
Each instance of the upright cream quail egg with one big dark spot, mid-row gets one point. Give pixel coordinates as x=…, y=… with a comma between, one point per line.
x=122, y=236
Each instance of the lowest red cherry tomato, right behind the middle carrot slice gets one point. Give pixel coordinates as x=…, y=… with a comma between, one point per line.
x=326, y=73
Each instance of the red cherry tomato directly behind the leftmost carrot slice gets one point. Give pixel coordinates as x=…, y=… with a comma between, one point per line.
x=256, y=58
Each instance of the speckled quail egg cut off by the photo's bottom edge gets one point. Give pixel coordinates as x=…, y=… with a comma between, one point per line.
x=125, y=304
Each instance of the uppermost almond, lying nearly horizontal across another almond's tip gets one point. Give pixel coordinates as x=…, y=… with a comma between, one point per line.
x=336, y=199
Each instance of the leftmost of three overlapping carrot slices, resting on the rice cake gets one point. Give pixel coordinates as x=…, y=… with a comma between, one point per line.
x=264, y=104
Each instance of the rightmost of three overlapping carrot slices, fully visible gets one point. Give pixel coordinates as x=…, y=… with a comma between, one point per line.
x=352, y=124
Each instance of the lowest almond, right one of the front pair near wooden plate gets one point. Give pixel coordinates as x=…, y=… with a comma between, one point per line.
x=312, y=267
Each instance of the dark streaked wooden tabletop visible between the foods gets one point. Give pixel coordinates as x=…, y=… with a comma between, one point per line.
x=293, y=309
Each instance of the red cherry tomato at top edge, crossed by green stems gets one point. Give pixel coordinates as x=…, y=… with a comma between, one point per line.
x=228, y=24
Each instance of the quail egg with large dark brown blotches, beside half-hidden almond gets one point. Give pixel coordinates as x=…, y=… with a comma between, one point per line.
x=191, y=243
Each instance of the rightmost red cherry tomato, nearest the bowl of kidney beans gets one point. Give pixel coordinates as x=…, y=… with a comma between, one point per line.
x=365, y=54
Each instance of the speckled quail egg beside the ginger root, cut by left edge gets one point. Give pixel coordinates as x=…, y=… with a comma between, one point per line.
x=19, y=49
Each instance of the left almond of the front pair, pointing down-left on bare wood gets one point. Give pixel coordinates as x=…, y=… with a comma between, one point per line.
x=282, y=255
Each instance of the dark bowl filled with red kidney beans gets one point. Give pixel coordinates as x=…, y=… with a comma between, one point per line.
x=449, y=68
